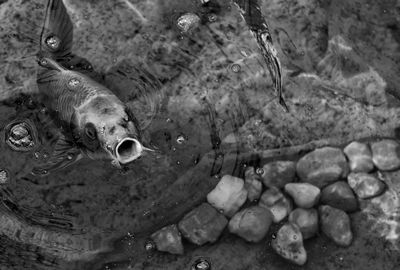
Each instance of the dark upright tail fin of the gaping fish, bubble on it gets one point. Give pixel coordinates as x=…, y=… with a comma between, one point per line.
x=57, y=32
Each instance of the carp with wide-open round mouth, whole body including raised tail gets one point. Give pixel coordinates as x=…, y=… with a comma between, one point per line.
x=92, y=117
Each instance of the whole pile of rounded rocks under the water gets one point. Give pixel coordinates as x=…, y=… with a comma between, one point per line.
x=317, y=191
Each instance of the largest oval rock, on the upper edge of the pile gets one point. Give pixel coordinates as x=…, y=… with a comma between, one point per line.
x=322, y=166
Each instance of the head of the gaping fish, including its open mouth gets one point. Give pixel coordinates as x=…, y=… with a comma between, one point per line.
x=106, y=124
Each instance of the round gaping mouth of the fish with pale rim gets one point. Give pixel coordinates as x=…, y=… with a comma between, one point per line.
x=127, y=150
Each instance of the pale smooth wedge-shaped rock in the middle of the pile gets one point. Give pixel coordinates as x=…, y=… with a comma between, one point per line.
x=304, y=195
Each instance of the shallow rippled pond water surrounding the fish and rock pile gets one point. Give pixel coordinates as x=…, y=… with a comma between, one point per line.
x=210, y=109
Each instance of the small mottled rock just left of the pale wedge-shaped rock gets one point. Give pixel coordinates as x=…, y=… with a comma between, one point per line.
x=279, y=205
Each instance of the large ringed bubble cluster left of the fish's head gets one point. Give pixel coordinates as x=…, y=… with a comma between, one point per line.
x=21, y=135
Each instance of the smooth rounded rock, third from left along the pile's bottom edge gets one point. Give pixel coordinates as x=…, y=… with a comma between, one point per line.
x=252, y=224
